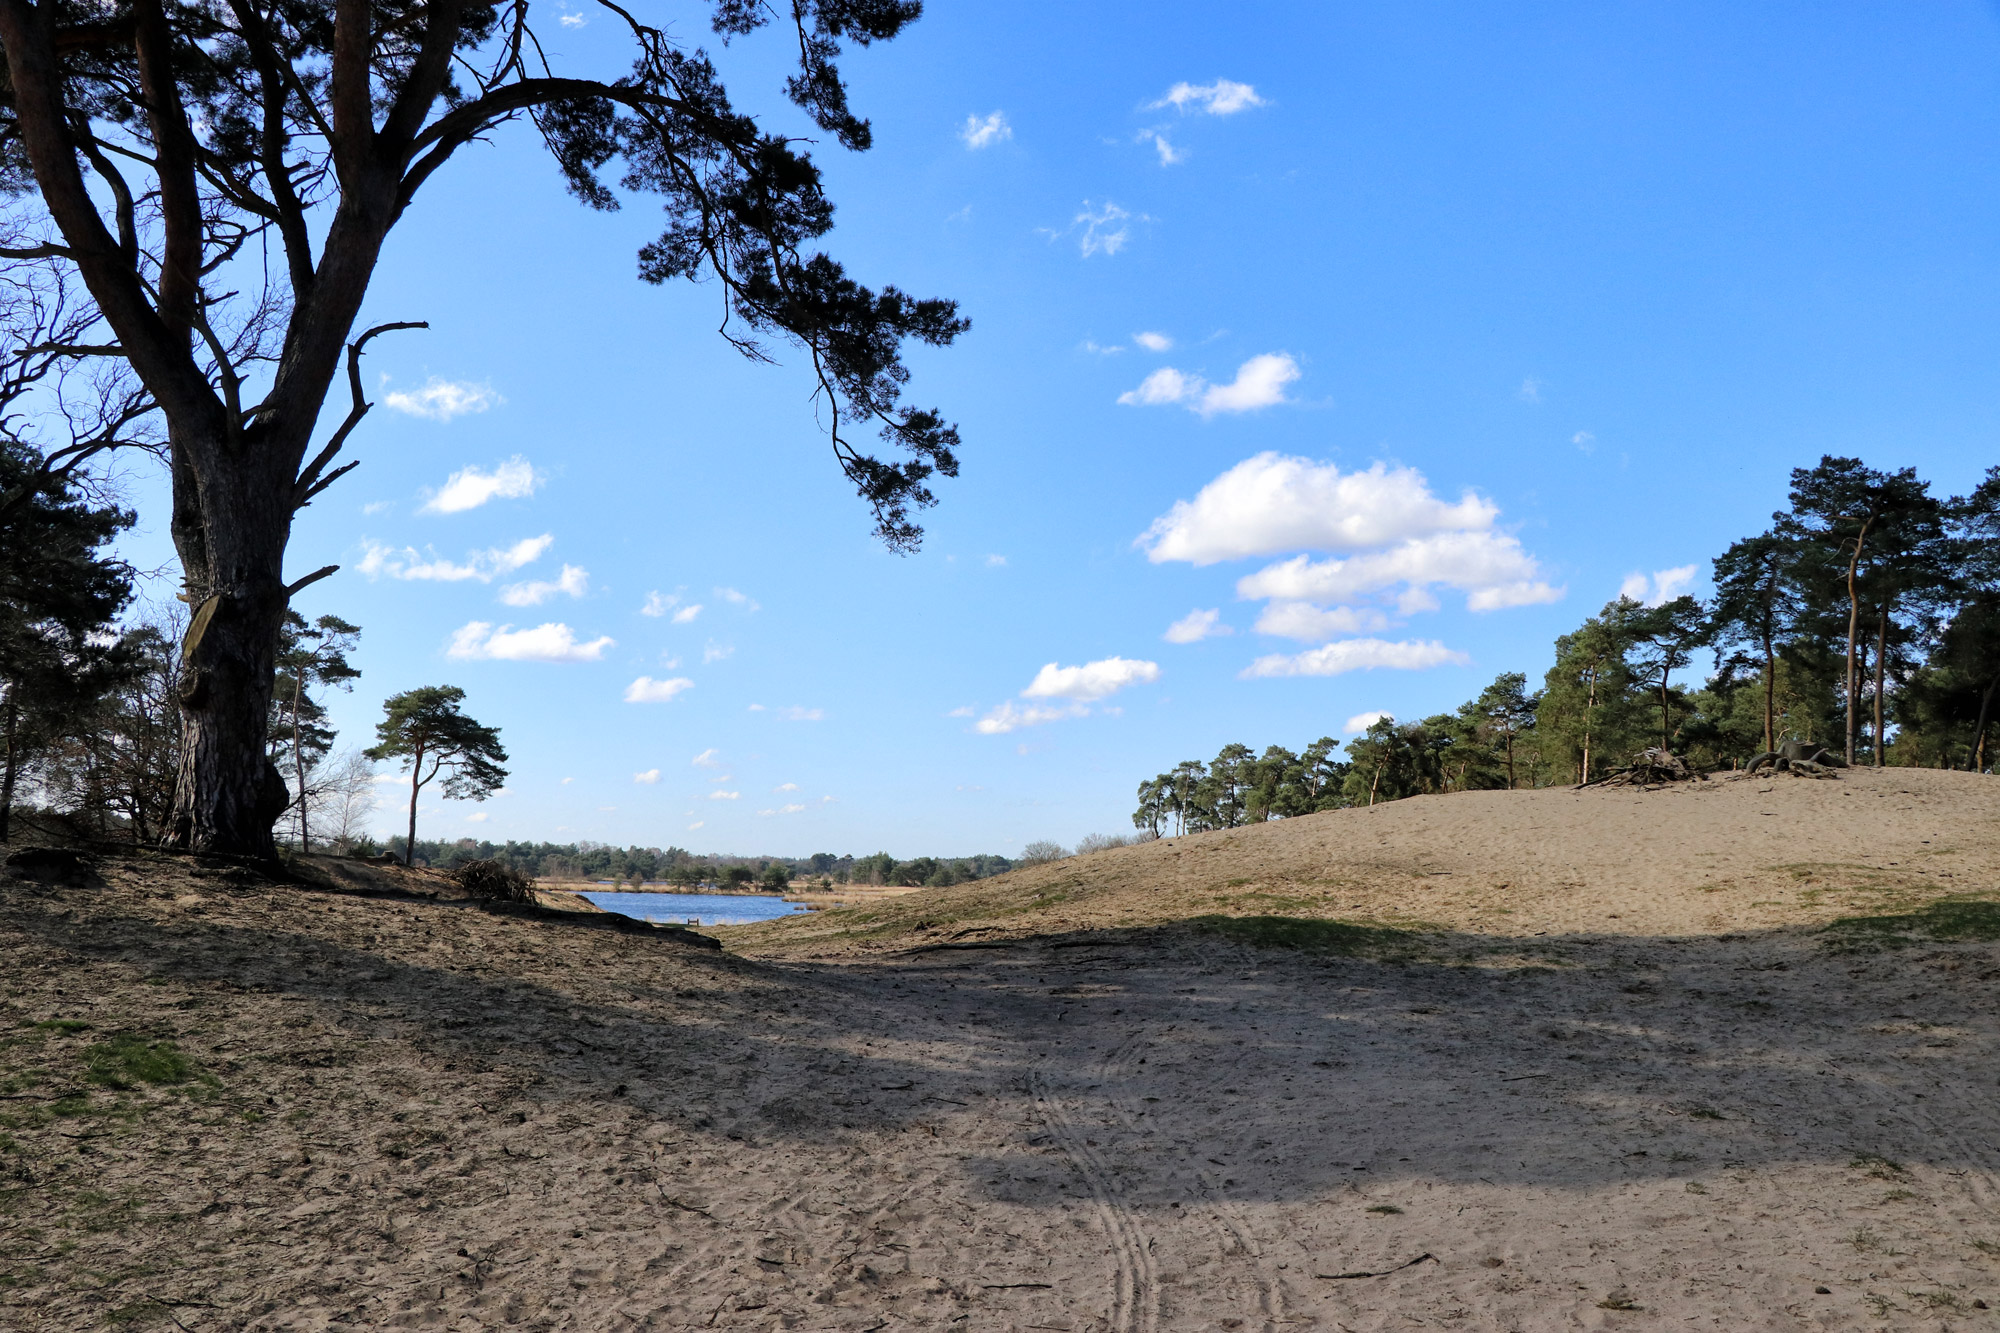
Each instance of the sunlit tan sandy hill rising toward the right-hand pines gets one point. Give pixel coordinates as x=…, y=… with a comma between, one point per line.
x=1505, y=866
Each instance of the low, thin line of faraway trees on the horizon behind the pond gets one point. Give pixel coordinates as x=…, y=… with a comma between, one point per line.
x=677, y=866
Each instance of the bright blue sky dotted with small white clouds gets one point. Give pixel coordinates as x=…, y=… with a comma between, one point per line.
x=1371, y=347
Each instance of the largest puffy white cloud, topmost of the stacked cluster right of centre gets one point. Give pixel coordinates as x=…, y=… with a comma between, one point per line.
x=1279, y=503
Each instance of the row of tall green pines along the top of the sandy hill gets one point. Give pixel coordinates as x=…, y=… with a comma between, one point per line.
x=1865, y=619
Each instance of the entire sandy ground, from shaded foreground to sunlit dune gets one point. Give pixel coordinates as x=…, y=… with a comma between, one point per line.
x=1625, y=1084
